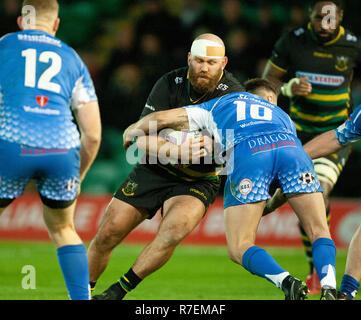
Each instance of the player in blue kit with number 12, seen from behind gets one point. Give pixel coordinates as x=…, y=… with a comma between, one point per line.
x=42, y=83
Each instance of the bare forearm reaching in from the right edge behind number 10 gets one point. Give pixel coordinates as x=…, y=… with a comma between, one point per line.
x=322, y=145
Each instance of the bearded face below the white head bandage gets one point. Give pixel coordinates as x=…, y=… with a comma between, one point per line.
x=205, y=73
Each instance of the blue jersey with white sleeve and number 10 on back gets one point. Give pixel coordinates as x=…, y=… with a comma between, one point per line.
x=238, y=116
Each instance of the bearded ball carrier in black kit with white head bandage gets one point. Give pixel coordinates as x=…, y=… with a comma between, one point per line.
x=183, y=192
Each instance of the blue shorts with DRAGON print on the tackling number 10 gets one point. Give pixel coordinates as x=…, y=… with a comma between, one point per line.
x=274, y=159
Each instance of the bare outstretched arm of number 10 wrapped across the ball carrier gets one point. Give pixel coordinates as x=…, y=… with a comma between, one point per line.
x=176, y=119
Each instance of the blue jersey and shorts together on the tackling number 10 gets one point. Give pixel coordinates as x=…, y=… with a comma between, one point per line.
x=264, y=147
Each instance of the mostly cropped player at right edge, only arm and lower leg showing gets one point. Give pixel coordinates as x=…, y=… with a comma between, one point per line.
x=325, y=144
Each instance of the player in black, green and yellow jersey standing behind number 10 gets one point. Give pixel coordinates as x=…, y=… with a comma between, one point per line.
x=318, y=61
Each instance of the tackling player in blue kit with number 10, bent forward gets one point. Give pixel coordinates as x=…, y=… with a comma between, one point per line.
x=263, y=149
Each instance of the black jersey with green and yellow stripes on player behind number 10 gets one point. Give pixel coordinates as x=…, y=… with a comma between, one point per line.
x=329, y=68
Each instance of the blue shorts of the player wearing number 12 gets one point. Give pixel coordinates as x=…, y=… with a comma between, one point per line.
x=55, y=171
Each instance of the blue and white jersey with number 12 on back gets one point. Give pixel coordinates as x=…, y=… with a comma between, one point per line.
x=41, y=79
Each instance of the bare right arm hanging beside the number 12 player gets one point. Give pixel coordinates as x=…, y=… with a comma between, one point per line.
x=88, y=119
